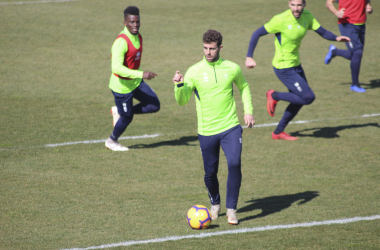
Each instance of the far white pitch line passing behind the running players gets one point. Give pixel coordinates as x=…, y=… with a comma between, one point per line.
x=157, y=135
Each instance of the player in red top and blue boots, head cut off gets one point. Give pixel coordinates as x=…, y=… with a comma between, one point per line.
x=351, y=20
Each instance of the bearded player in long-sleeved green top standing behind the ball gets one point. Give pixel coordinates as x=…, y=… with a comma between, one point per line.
x=212, y=80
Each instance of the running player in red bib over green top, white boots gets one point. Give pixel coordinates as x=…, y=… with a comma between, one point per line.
x=127, y=81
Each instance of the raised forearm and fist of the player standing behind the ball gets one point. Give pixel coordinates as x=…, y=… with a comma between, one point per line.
x=182, y=90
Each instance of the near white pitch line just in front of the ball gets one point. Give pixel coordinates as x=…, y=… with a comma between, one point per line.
x=236, y=231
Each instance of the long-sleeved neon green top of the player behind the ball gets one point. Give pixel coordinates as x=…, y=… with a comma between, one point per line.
x=212, y=84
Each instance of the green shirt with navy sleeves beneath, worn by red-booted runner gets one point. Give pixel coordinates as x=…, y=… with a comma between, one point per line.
x=289, y=33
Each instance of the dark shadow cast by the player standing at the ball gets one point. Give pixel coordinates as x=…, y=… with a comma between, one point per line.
x=275, y=204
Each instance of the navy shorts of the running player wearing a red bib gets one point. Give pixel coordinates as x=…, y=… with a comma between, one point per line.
x=144, y=94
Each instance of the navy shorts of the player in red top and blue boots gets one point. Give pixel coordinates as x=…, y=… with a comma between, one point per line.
x=356, y=33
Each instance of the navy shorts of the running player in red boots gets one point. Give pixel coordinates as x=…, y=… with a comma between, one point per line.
x=294, y=79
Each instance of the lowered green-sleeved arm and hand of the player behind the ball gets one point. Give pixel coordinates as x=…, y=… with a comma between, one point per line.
x=246, y=98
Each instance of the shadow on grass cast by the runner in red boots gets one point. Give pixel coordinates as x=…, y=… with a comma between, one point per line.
x=330, y=132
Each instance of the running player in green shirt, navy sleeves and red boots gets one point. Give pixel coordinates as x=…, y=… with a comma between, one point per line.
x=289, y=28
